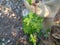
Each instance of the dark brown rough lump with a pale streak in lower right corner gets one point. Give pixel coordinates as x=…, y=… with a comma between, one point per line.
x=55, y=35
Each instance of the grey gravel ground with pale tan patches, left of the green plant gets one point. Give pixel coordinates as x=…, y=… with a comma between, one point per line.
x=11, y=21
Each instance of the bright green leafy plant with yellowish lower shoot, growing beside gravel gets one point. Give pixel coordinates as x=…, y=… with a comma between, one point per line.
x=32, y=24
